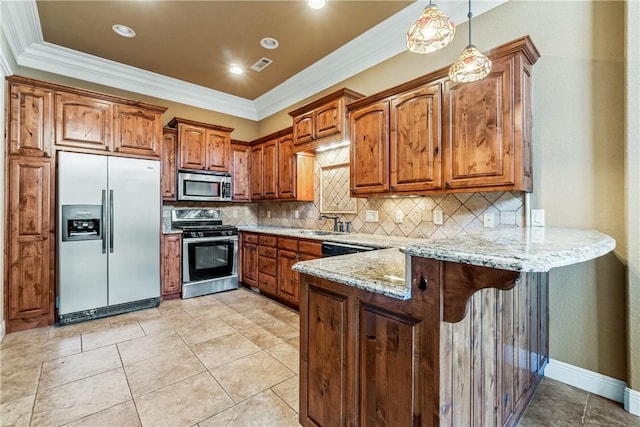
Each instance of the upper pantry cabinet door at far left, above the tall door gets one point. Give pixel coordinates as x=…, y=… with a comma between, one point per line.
x=31, y=121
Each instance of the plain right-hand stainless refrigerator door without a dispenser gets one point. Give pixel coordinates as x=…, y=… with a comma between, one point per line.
x=134, y=255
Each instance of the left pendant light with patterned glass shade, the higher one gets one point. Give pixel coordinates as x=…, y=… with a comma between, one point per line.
x=432, y=31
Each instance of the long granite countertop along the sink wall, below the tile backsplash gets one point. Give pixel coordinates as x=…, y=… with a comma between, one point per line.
x=364, y=239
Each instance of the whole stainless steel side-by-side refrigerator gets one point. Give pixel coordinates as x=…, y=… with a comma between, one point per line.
x=108, y=235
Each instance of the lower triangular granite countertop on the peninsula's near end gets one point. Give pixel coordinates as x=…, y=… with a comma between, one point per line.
x=377, y=271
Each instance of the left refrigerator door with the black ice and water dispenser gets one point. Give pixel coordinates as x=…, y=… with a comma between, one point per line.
x=82, y=268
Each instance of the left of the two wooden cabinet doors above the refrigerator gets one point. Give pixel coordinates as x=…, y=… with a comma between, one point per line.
x=83, y=122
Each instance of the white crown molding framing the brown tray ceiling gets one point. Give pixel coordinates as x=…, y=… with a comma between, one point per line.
x=24, y=35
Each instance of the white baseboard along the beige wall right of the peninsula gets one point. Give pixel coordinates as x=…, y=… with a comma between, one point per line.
x=584, y=379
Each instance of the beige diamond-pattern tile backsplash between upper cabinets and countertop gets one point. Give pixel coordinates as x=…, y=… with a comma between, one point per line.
x=463, y=212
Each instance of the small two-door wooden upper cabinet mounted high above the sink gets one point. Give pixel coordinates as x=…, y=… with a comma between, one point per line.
x=322, y=121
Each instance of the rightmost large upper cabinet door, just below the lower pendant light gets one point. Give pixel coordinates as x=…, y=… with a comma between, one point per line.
x=479, y=132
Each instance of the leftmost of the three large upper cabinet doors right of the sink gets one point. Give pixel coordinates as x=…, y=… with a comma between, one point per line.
x=370, y=149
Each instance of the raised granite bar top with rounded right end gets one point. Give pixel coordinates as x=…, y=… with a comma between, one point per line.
x=518, y=249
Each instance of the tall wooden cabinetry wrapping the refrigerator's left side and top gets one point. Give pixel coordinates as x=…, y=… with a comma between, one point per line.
x=43, y=118
